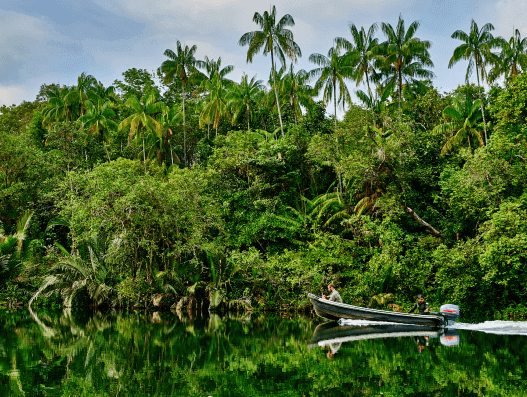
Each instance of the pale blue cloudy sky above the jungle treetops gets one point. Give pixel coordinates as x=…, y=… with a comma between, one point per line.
x=54, y=41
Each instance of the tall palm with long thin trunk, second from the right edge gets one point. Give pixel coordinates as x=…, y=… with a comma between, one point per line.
x=477, y=50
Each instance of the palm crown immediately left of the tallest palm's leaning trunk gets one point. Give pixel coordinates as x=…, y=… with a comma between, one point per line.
x=242, y=97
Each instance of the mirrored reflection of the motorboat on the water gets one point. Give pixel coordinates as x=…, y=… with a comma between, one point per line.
x=332, y=333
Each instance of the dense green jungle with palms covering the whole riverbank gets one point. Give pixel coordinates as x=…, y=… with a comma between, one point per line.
x=184, y=189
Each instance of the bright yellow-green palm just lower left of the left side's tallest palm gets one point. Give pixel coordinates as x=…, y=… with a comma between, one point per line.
x=144, y=117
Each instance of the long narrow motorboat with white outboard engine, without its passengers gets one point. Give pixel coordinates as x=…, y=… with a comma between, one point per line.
x=447, y=316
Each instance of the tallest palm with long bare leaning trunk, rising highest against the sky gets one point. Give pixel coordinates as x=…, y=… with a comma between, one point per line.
x=275, y=39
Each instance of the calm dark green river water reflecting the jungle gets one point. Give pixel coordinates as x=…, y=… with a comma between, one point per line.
x=139, y=354
